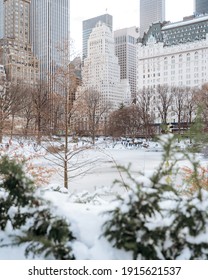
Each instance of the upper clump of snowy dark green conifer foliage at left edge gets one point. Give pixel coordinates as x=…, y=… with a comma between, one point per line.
x=17, y=193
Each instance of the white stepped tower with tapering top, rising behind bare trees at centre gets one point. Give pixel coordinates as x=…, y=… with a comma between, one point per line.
x=101, y=75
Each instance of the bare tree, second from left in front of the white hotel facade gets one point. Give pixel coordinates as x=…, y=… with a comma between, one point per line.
x=164, y=102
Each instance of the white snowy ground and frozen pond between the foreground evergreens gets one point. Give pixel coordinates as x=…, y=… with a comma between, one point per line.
x=89, y=196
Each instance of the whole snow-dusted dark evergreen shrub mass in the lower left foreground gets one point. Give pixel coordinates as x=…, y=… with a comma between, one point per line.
x=43, y=233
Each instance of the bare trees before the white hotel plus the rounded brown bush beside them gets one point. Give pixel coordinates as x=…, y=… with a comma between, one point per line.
x=155, y=108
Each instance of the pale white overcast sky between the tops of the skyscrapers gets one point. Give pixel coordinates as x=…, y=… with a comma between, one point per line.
x=125, y=13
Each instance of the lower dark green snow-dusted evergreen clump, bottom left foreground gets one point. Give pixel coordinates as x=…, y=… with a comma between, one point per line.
x=48, y=236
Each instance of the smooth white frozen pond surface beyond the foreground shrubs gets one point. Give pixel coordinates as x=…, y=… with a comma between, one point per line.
x=105, y=172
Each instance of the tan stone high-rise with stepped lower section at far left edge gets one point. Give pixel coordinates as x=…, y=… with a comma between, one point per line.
x=15, y=47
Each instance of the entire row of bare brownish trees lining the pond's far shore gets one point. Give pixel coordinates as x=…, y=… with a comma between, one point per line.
x=38, y=110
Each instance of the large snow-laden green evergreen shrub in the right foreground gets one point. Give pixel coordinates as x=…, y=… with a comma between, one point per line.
x=153, y=221
